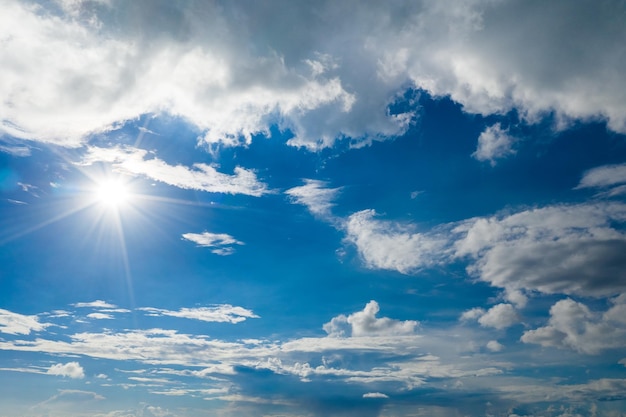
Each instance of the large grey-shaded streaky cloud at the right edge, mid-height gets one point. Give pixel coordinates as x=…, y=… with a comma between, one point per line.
x=566, y=249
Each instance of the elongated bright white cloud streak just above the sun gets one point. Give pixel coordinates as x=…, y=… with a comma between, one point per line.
x=201, y=177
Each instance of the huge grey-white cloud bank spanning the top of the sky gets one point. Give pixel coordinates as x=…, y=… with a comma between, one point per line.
x=68, y=74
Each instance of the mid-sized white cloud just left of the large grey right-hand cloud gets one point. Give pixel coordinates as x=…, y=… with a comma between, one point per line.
x=393, y=246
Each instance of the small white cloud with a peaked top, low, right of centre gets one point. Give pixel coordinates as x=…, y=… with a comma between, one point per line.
x=365, y=323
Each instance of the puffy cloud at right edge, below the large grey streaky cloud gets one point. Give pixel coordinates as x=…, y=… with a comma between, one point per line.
x=572, y=325
